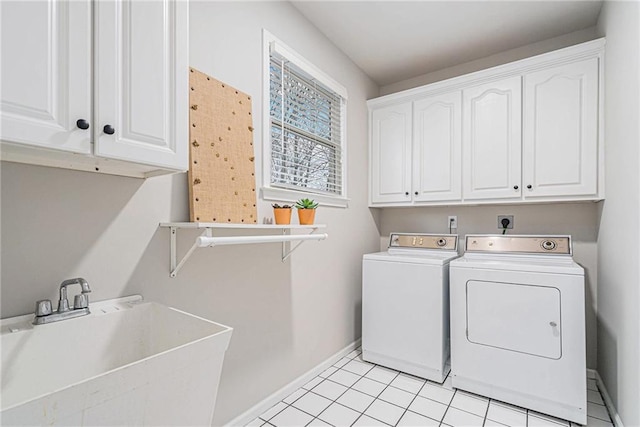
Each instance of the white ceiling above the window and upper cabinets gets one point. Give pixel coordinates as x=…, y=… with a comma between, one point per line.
x=396, y=40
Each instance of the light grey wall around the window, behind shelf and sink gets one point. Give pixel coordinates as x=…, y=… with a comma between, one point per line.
x=287, y=317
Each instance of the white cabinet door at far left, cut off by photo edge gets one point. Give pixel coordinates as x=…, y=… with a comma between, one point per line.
x=46, y=74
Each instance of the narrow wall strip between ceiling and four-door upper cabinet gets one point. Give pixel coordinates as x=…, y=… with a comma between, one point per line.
x=501, y=58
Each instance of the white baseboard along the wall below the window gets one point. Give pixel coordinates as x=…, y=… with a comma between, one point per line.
x=257, y=409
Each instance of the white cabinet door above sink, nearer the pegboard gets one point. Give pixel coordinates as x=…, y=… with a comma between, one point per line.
x=141, y=82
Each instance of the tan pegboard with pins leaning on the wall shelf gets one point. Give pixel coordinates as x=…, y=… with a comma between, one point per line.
x=222, y=185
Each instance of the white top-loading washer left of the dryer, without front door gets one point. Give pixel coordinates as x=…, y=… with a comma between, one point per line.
x=405, y=304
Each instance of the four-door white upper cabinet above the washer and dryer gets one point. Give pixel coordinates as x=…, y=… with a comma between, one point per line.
x=529, y=131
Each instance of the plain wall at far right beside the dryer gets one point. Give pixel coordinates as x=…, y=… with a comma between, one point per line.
x=619, y=234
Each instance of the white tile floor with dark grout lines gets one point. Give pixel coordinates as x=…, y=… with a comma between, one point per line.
x=353, y=392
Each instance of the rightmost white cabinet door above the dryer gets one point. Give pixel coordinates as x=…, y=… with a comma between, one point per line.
x=560, y=144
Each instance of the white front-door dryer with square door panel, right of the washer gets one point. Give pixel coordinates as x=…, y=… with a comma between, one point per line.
x=518, y=323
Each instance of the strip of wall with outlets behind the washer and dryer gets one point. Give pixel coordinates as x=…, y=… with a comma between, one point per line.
x=577, y=219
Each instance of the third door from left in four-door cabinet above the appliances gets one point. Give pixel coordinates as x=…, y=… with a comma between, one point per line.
x=492, y=140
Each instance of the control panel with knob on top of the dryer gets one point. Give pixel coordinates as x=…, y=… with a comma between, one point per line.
x=519, y=244
